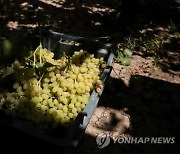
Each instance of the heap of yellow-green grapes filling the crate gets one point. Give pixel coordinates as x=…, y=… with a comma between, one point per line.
x=59, y=94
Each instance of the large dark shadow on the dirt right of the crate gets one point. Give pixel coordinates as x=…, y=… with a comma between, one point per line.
x=153, y=108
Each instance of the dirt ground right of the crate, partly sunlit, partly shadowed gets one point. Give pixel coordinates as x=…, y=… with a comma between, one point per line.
x=140, y=101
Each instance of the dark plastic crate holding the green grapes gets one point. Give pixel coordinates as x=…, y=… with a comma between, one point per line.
x=59, y=43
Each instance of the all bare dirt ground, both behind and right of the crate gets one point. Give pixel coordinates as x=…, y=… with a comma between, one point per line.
x=140, y=100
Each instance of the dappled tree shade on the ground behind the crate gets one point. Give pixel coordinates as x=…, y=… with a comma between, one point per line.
x=109, y=21
